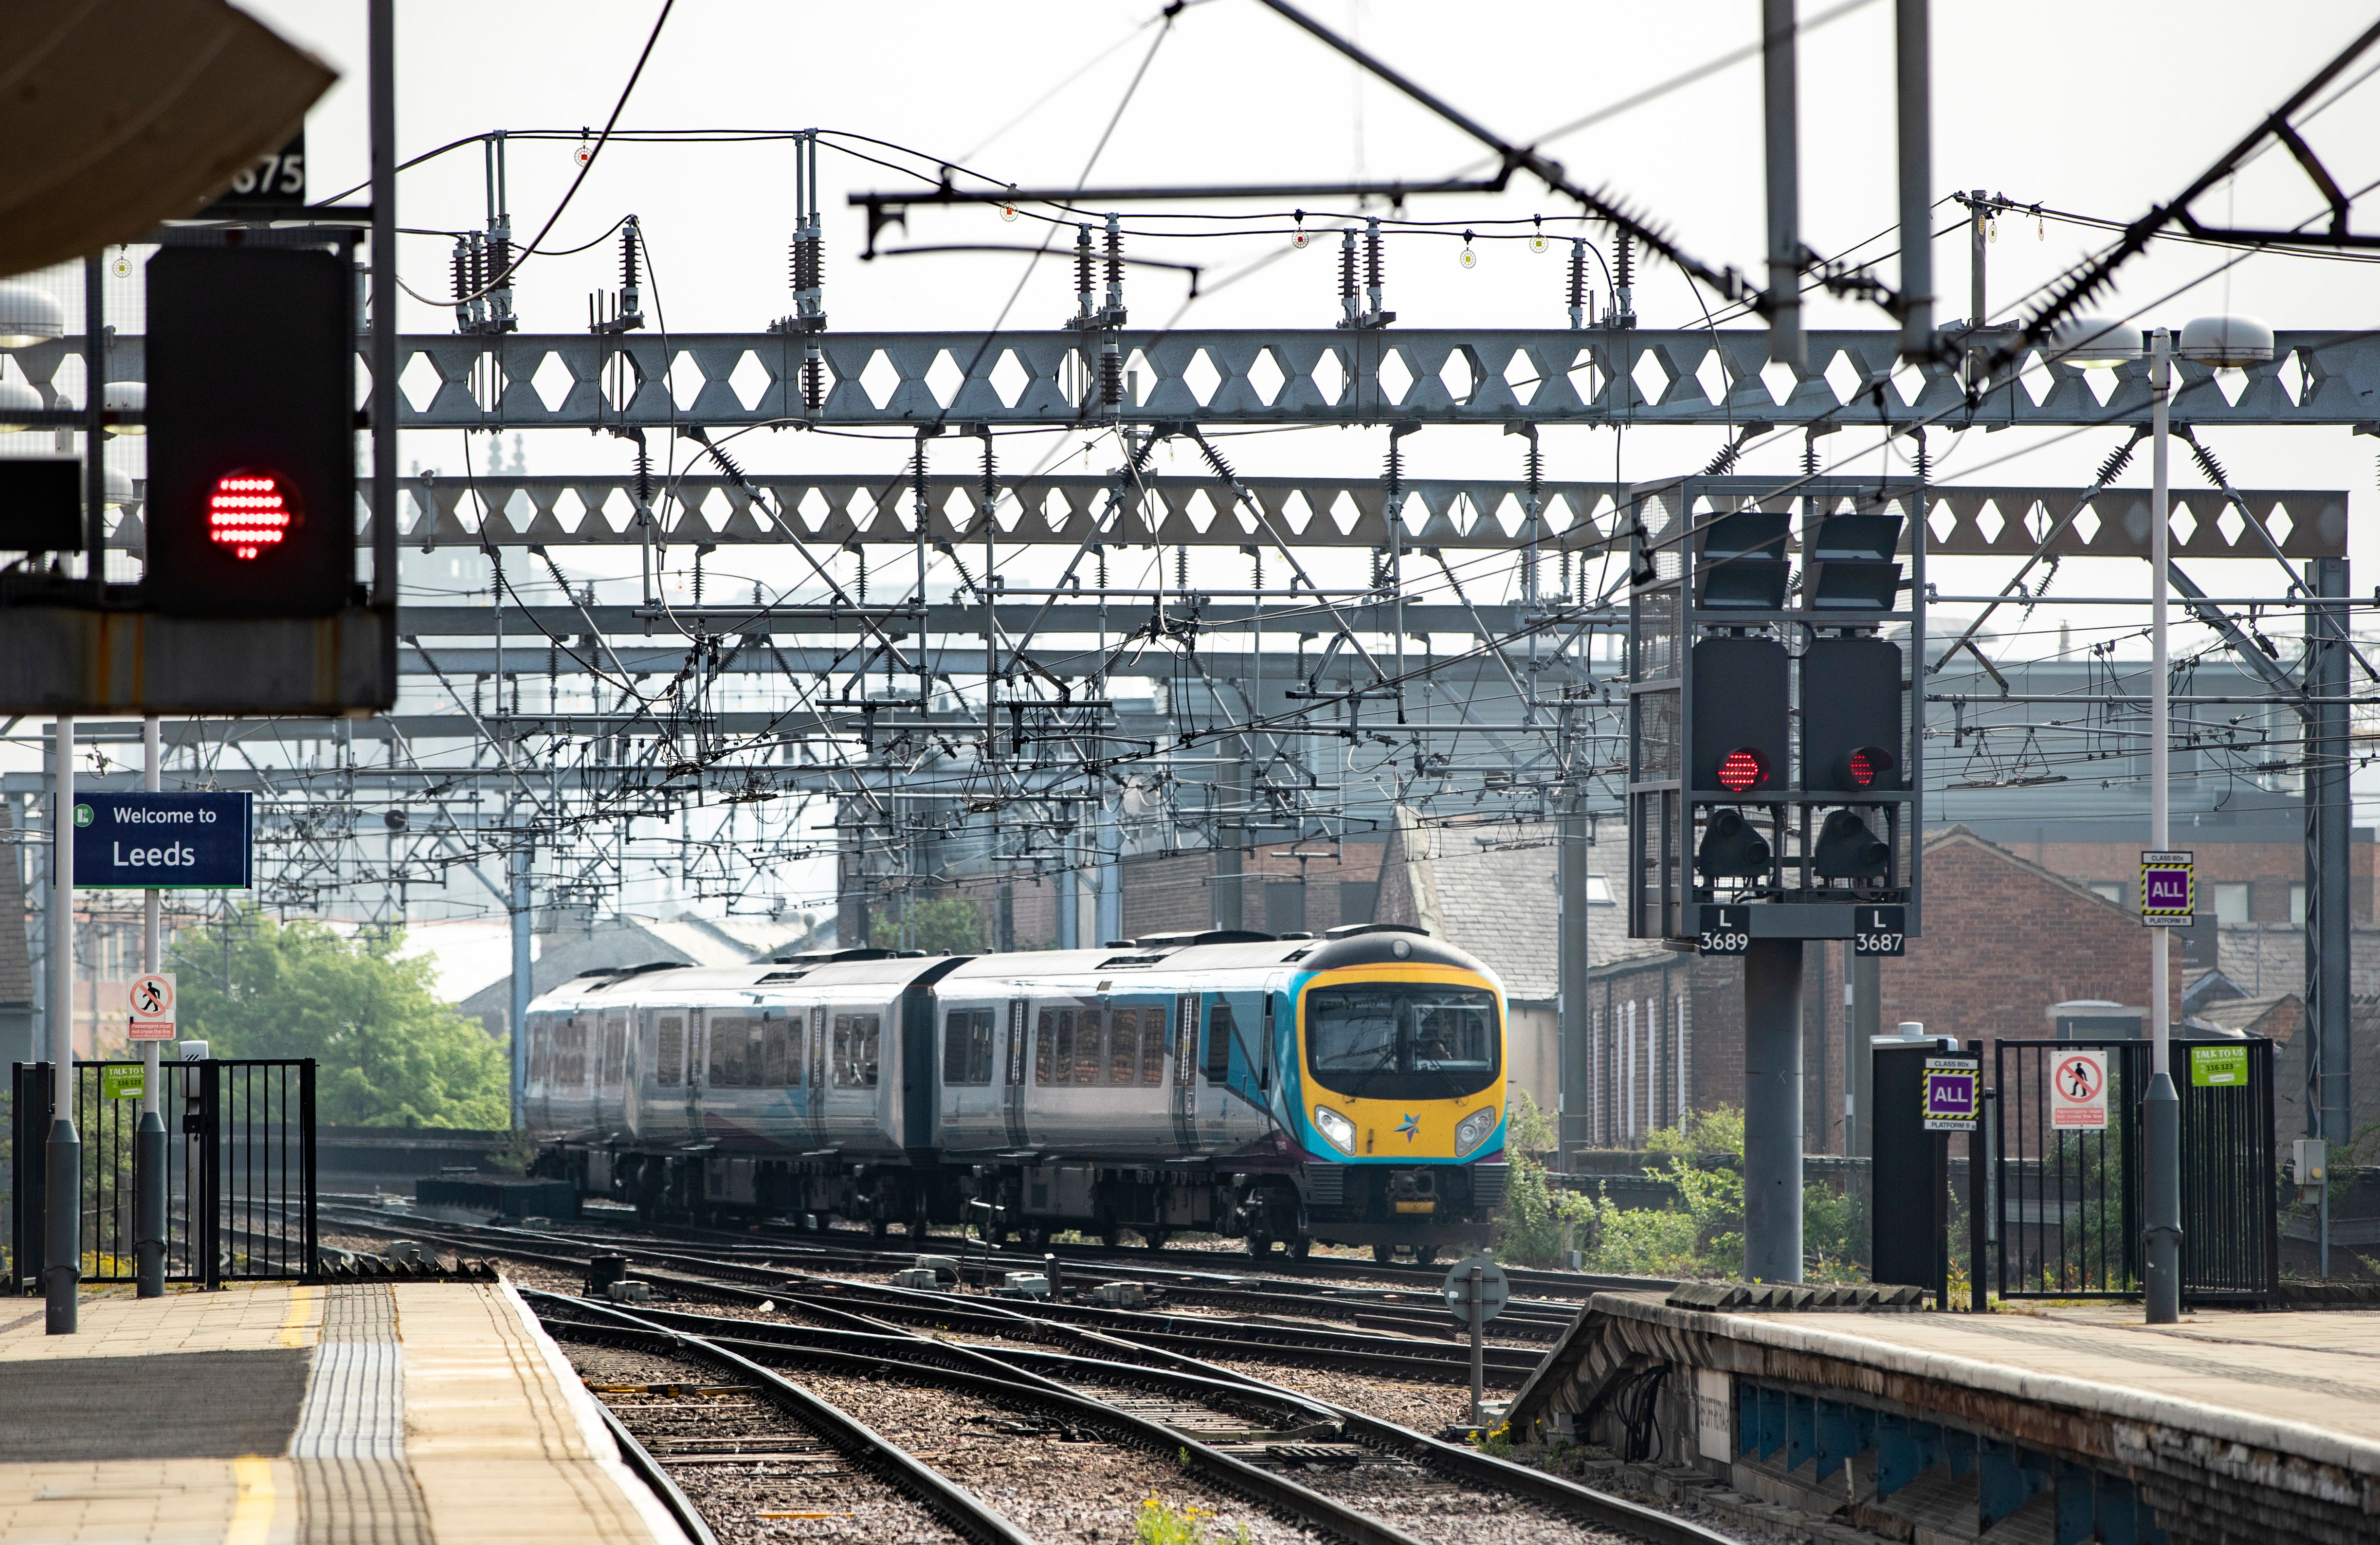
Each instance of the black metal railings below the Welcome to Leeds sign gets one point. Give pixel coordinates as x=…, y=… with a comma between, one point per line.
x=239, y=1172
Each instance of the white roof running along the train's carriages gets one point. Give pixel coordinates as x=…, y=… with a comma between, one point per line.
x=1160, y=956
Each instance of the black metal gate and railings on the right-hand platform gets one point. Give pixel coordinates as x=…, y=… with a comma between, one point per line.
x=2069, y=1203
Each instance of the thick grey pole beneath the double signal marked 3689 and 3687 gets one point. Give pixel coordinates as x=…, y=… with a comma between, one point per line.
x=1774, y=1111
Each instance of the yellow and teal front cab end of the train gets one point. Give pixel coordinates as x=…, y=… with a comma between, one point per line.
x=1398, y=1094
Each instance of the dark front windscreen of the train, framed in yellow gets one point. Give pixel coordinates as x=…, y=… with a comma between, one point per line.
x=1403, y=1042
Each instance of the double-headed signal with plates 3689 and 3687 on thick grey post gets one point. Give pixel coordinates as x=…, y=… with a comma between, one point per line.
x=1774, y=763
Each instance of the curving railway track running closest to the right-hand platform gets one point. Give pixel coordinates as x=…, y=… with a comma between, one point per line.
x=1315, y=1463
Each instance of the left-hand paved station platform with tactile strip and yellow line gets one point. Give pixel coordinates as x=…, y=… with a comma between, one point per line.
x=270, y=1413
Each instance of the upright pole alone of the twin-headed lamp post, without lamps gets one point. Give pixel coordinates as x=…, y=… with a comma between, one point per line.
x=2162, y=1118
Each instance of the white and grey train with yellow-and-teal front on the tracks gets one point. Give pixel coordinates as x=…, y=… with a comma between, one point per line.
x=1270, y=1089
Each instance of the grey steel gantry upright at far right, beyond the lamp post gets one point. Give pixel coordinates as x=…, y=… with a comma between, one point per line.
x=2329, y=913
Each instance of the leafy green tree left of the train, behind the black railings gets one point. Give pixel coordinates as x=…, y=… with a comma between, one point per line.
x=389, y=1051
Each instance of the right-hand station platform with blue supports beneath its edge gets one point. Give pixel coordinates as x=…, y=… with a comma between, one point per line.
x=2024, y=1427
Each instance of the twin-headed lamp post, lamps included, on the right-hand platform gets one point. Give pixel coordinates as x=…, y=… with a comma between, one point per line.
x=2222, y=342
